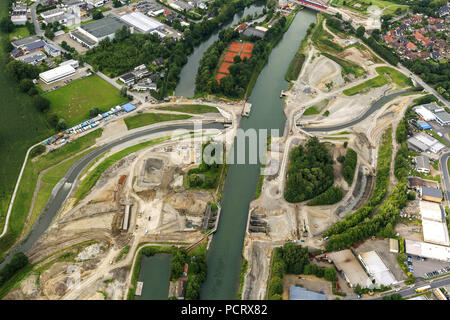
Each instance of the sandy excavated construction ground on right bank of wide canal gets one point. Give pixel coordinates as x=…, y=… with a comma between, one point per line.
x=358, y=121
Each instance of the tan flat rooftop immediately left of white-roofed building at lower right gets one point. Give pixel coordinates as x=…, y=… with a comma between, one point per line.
x=350, y=268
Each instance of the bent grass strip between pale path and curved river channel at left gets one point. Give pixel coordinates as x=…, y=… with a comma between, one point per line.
x=28, y=184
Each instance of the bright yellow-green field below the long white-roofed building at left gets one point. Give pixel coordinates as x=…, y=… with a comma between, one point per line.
x=73, y=101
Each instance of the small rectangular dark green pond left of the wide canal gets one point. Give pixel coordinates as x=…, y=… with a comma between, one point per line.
x=156, y=277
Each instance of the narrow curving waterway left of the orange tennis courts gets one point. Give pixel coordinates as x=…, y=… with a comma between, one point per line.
x=186, y=85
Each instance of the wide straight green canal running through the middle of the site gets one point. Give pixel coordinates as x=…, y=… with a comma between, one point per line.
x=224, y=255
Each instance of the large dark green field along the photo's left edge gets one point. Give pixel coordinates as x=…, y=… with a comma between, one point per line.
x=21, y=126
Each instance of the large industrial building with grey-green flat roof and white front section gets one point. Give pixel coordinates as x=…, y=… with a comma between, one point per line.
x=89, y=35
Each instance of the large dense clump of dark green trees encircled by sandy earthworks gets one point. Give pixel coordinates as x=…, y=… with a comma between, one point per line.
x=310, y=171
